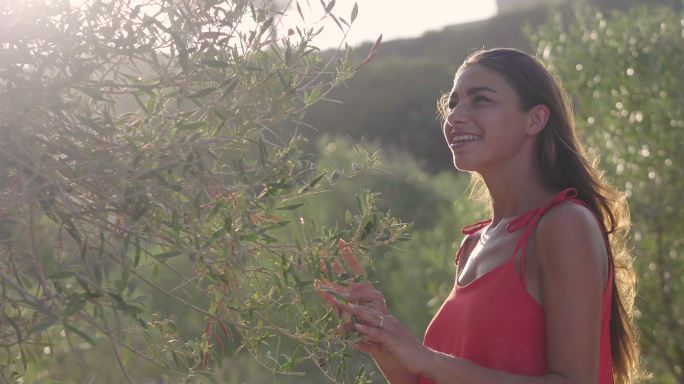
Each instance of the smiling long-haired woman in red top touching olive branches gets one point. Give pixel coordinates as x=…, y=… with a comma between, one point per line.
x=536, y=297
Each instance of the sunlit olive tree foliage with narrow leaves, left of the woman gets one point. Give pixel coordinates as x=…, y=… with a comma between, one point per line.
x=151, y=151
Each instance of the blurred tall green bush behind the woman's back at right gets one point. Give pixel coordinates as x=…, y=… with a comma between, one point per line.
x=624, y=74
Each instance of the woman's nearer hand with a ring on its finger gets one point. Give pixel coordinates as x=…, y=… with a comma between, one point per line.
x=391, y=336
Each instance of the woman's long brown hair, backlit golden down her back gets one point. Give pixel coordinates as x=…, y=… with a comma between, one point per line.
x=562, y=163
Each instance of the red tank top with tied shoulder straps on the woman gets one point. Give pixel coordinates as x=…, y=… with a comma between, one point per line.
x=494, y=322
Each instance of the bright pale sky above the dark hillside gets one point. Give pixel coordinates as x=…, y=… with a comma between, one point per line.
x=393, y=19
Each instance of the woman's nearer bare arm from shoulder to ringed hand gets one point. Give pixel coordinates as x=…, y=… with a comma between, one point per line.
x=572, y=263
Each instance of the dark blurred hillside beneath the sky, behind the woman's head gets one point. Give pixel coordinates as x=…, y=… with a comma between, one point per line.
x=392, y=100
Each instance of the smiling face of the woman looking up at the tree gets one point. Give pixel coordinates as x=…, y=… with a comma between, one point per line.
x=485, y=126
